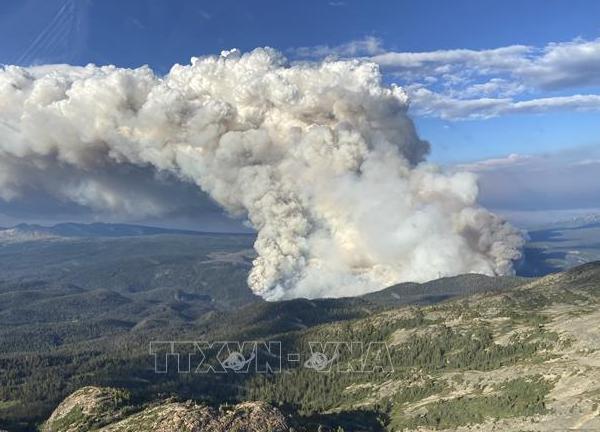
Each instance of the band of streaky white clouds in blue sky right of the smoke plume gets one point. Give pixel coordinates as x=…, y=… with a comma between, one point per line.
x=467, y=84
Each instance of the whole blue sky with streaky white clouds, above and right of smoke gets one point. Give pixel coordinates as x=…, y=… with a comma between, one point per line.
x=490, y=79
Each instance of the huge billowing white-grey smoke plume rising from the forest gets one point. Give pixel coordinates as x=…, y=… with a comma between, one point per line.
x=320, y=158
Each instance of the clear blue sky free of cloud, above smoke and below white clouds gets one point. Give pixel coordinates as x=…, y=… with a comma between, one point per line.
x=161, y=33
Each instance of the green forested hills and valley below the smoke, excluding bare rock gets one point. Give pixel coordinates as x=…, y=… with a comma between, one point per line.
x=72, y=314
